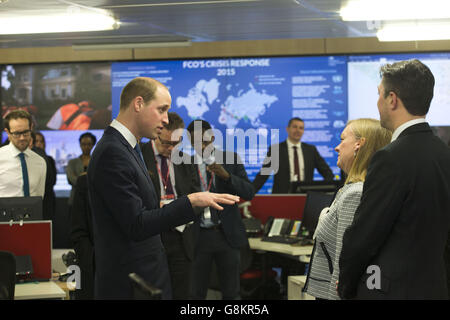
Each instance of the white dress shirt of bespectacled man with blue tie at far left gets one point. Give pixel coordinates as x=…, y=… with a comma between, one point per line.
x=11, y=180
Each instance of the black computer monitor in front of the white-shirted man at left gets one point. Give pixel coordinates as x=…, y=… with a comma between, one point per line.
x=20, y=209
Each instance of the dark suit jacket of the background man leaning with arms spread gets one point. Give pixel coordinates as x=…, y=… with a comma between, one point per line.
x=281, y=181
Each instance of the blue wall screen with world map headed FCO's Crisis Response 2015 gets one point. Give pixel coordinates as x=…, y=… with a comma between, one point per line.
x=253, y=96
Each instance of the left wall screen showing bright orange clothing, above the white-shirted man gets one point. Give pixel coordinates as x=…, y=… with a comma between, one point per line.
x=65, y=100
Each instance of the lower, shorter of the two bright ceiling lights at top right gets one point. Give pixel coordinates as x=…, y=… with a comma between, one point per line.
x=413, y=32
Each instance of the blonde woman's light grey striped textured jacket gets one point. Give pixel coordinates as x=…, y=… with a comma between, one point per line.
x=329, y=233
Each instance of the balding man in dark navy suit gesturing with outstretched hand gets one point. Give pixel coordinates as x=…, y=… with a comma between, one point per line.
x=127, y=218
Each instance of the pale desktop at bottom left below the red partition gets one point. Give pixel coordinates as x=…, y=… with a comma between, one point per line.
x=38, y=290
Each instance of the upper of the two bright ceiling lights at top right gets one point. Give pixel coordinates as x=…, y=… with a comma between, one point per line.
x=367, y=10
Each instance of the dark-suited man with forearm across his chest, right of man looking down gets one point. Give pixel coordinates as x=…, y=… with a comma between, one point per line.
x=219, y=238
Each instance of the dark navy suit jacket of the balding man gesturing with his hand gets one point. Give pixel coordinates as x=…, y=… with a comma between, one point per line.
x=127, y=220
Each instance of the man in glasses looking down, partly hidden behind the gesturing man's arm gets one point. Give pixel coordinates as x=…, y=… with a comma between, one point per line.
x=172, y=181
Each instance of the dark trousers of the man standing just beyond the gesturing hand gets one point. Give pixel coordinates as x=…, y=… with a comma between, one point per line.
x=213, y=247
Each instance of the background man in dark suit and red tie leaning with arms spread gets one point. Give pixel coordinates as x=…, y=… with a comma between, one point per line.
x=292, y=161
